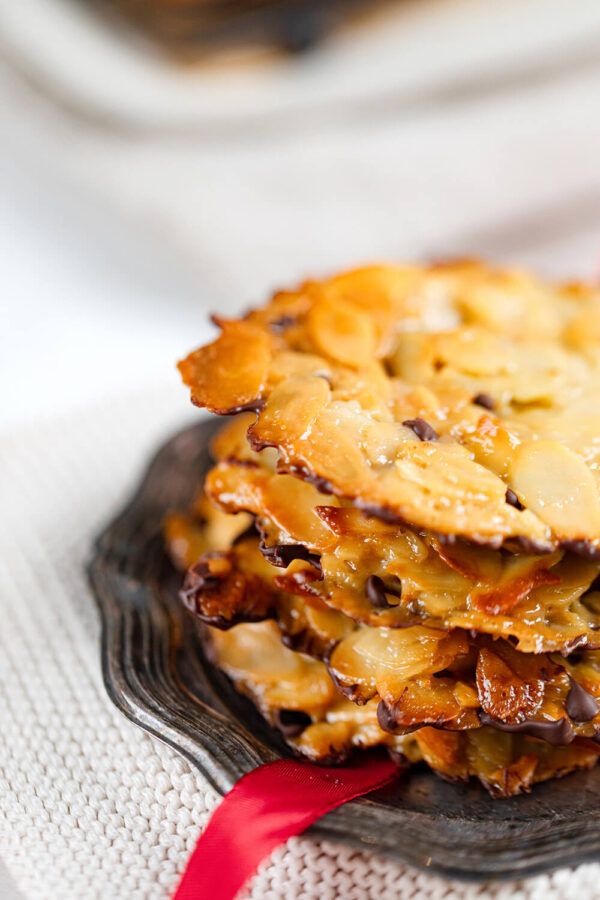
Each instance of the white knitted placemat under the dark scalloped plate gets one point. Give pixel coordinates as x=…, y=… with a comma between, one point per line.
x=91, y=806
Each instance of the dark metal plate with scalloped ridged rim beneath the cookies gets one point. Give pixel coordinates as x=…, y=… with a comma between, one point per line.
x=155, y=672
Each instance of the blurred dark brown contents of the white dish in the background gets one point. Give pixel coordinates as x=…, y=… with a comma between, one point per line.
x=192, y=26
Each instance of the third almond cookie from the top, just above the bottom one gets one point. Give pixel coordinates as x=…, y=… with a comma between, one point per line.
x=421, y=675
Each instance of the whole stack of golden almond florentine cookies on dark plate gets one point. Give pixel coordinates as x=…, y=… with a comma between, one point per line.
x=399, y=543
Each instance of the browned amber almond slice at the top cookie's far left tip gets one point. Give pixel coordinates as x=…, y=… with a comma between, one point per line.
x=230, y=373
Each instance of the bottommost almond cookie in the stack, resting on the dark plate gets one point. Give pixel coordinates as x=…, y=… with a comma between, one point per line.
x=330, y=728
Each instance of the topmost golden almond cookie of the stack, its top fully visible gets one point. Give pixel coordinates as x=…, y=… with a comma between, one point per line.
x=370, y=350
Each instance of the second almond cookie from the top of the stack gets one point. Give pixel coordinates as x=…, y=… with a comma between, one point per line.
x=537, y=600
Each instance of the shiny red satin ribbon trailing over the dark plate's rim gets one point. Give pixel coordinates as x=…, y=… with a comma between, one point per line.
x=266, y=807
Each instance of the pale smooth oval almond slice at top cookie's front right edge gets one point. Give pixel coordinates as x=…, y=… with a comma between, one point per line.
x=556, y=484
